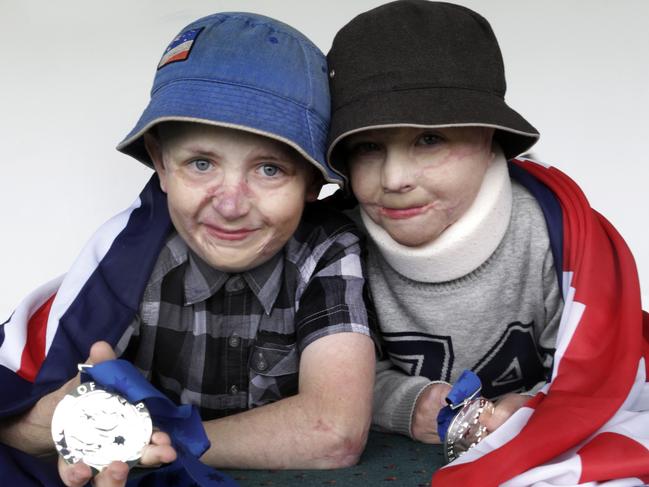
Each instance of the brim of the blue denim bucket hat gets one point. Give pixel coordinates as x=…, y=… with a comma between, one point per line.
x=235, y=107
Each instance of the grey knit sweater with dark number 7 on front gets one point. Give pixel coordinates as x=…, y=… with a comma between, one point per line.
x=500, y=320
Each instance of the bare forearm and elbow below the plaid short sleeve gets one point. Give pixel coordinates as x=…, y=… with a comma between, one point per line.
x=324, y=426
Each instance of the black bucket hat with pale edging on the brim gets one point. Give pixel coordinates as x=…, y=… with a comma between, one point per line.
x=420, y=63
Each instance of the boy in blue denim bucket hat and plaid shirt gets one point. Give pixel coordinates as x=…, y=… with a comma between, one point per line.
x=250, y=307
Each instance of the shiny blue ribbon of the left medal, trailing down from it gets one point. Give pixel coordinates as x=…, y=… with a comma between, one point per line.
x=182, y=423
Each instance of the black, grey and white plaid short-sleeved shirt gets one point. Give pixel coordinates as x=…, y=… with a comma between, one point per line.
x=230, y=342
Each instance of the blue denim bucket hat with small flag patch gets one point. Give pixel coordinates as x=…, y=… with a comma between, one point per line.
x=247, y=72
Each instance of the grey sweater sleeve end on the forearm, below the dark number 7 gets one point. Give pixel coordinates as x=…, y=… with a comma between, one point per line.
x=395, y=396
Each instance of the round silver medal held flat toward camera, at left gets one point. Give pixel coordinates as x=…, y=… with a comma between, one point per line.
x=99, y=427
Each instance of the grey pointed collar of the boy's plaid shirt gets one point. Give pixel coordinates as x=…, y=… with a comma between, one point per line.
x=203, y=281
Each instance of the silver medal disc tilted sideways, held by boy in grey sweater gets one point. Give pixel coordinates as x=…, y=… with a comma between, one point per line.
x=465, y=430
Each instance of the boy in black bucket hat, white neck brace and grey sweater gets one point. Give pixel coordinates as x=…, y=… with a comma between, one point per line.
x=459, y=260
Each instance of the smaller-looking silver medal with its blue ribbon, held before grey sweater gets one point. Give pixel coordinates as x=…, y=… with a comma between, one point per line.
x=458, y=423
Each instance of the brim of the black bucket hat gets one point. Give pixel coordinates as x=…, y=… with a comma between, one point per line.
x=432, y=107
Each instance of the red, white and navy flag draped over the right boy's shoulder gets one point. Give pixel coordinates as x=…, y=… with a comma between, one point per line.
x=590, y=424
